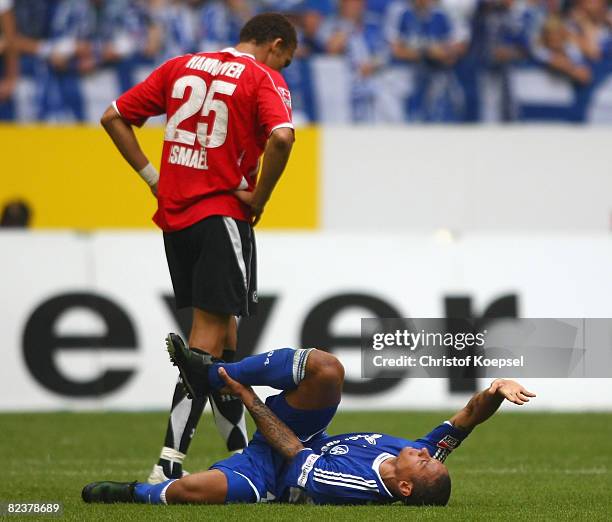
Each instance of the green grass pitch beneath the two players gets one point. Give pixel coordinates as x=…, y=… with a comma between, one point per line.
x=516, y=467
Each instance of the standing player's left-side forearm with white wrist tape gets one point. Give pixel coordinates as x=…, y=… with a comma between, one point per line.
x=124, y=138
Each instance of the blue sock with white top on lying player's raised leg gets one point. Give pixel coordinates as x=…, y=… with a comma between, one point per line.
x=281, y=369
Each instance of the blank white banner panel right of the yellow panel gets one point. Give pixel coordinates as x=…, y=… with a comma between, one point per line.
x=553, y=179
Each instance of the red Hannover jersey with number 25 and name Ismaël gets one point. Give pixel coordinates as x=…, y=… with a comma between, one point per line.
x=221, y=109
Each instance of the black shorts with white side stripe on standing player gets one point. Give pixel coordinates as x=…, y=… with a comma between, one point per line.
x=213, y=266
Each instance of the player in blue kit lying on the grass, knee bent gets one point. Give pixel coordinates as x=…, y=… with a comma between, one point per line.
x=291, y=458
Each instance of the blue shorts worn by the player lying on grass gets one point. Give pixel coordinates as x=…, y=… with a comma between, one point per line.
x=253, y=475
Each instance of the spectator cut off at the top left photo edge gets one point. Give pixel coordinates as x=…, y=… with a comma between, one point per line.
x=8, y=60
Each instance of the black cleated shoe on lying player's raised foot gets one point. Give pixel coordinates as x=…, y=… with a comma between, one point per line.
x=193, y=366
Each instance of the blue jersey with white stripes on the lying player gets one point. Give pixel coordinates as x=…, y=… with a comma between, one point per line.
x=344, y=469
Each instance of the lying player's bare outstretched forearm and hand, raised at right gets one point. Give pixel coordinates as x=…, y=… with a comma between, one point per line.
x=484, y=404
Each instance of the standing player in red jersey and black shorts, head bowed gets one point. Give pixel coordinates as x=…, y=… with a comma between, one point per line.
x=224, y=109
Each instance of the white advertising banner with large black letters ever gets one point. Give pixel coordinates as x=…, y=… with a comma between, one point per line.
x=84, y=316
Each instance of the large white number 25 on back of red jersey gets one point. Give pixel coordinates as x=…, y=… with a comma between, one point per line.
x=200, y=99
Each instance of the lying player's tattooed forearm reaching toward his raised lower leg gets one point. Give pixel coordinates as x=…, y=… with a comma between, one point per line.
x=275, y=431
